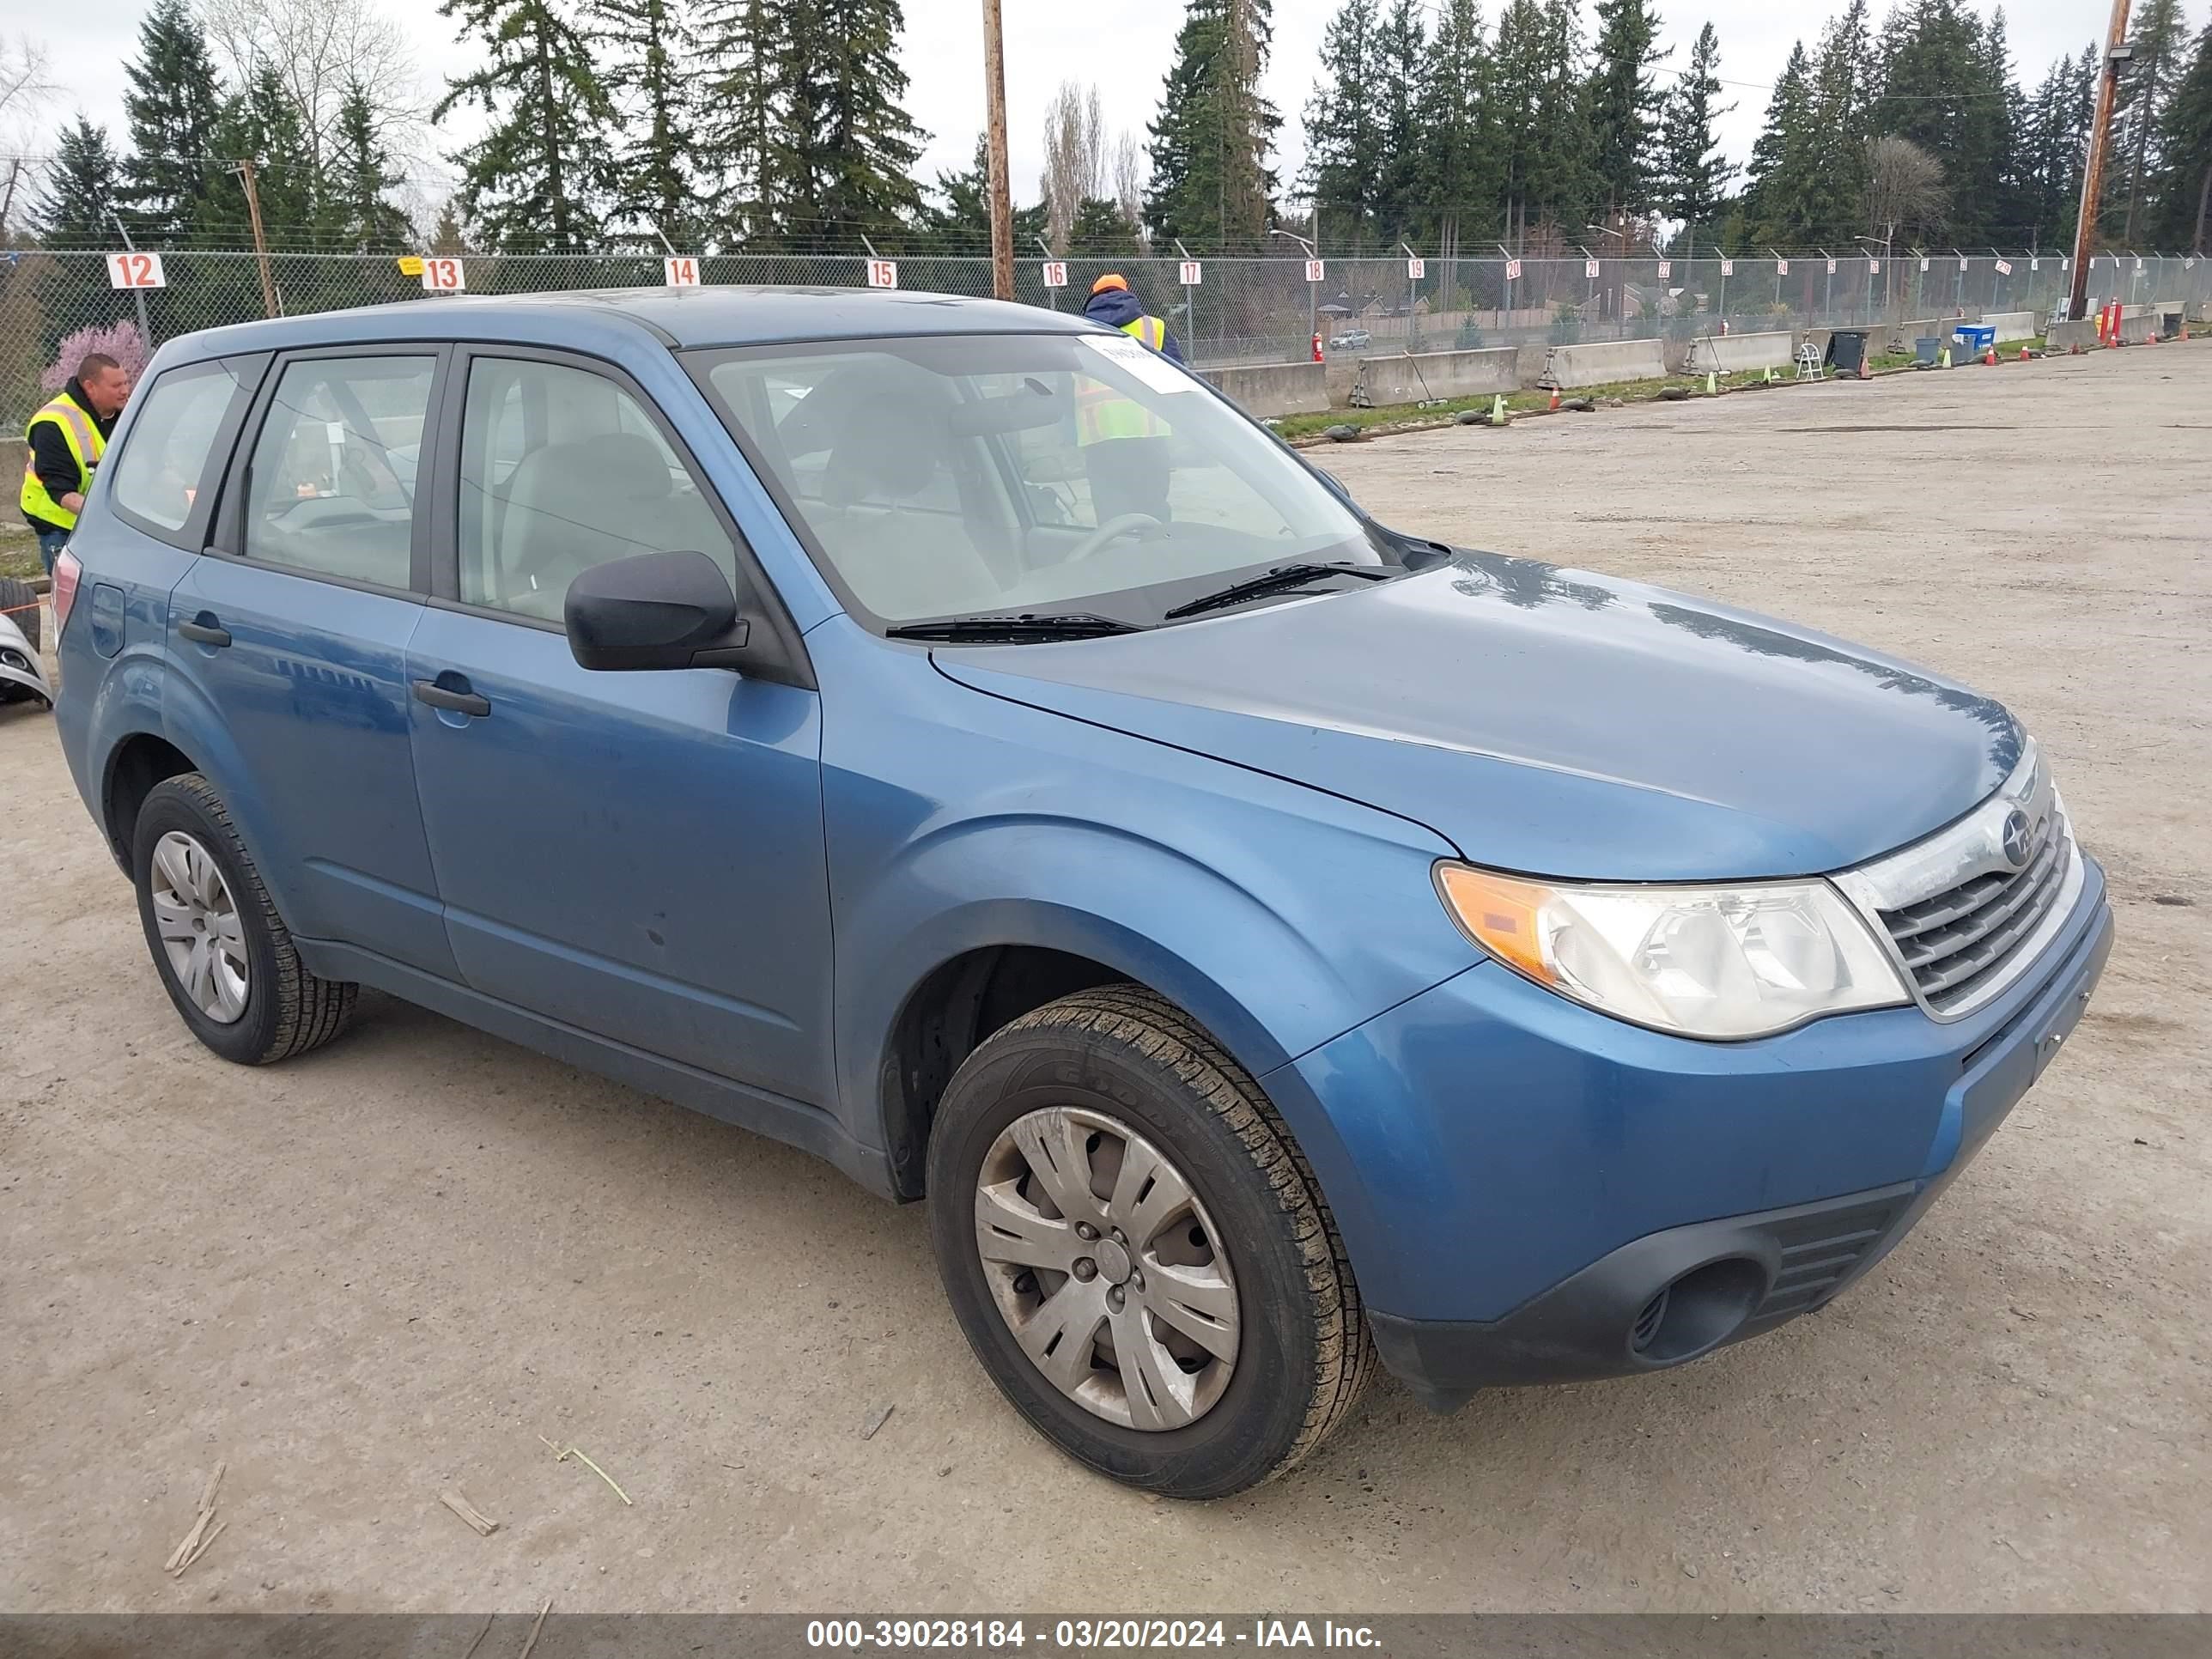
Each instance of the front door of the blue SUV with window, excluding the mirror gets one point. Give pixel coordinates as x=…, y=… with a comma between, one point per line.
x=638, y=855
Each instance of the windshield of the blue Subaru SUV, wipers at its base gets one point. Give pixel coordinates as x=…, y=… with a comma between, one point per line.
x=1034, y=472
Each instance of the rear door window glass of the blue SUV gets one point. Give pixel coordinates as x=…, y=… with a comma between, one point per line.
x=335, y=468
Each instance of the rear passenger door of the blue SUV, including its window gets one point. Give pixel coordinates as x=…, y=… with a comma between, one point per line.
x=295, y=632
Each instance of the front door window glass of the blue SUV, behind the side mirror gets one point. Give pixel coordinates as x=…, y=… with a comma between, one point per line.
x=563, y=470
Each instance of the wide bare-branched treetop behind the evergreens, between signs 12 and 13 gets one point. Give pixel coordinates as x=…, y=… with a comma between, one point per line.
x=322, y=48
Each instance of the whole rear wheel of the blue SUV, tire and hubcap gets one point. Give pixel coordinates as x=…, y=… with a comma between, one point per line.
x=222, y=950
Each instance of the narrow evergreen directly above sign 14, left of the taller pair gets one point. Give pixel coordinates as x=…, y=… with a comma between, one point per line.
x=649, y=59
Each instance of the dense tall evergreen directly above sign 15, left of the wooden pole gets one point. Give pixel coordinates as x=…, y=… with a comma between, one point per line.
x=853, y=143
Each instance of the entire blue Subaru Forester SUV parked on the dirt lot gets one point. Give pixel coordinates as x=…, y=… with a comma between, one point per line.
x=957, y=742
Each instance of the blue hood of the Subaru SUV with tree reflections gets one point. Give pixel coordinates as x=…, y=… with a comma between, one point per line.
x=1550, y=722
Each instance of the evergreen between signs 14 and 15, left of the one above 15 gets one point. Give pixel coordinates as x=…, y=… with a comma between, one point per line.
x=747, y=61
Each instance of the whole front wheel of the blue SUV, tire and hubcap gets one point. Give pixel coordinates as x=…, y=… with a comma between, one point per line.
x=1138, y=1251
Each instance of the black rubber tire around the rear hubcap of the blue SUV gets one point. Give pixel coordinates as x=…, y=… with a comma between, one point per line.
x=289, y=1010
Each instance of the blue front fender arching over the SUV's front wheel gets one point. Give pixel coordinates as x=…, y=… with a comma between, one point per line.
x=1275, y=915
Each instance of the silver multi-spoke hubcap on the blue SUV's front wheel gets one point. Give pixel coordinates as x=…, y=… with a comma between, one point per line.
x=1107, y=1269
